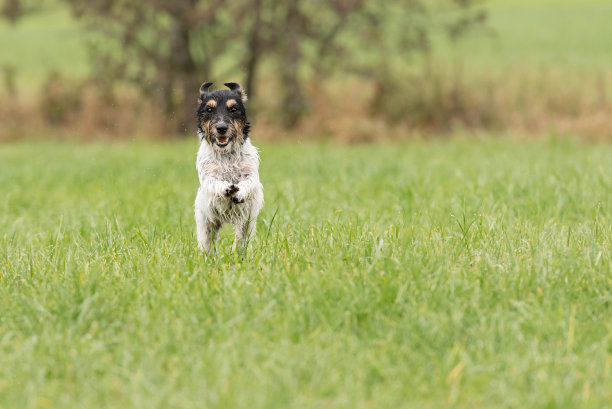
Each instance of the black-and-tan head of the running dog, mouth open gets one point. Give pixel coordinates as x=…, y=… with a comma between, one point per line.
x=222, y=119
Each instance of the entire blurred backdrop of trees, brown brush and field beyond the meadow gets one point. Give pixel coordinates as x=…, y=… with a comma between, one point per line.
x=348, y=70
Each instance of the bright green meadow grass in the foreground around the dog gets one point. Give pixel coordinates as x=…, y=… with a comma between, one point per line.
x=457, y=274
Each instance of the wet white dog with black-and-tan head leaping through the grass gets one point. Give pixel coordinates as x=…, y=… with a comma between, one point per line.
x=228, y=168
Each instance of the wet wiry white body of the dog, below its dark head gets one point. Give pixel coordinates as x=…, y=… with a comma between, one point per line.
x=218, y=169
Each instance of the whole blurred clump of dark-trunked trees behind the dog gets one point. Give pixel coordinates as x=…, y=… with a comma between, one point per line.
x=168, y=48
